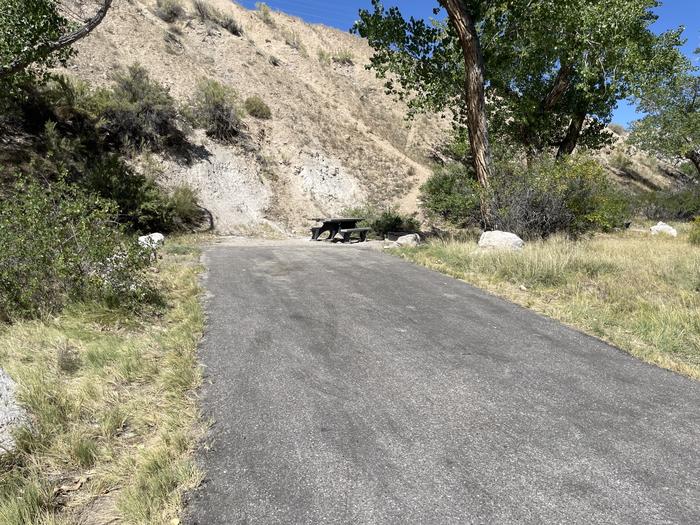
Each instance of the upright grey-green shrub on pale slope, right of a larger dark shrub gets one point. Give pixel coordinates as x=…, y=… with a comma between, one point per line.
x=214, y=108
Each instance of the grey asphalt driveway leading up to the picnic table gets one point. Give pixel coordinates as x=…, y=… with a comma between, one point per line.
x=348, y=386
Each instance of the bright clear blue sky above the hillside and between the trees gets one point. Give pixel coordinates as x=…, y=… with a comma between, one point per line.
x=342, y=14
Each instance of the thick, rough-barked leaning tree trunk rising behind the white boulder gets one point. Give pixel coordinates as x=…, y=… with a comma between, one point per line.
x=475, y=101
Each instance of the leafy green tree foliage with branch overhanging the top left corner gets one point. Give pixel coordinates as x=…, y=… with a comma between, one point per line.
x=36, y=35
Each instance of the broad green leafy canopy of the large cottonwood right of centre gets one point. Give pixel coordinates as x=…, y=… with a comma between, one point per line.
x=553, y=70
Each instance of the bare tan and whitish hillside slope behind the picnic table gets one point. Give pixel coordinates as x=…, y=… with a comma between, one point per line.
x=335, y=139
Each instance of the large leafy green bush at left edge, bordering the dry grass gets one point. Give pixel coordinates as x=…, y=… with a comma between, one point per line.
x=57, y=244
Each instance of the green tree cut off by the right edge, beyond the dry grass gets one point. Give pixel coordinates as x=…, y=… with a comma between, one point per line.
x=671, y=127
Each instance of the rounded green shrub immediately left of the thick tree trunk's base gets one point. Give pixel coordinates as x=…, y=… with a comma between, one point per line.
x=452, y=195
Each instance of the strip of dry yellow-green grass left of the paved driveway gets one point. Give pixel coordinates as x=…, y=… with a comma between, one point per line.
x=114, y=416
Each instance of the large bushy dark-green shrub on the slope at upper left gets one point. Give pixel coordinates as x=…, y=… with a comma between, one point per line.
x=138, y=112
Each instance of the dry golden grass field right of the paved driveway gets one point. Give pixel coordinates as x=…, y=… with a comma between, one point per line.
x=641, y=294
